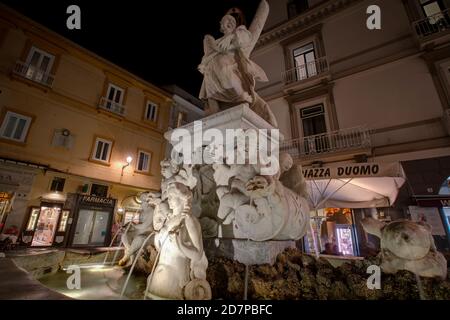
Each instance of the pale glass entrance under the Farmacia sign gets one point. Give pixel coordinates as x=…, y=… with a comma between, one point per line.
x=91, y=228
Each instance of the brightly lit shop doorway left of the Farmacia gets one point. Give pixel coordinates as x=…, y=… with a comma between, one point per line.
x=46, y=225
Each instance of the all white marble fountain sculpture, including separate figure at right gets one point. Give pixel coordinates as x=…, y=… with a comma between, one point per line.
x=259, y=213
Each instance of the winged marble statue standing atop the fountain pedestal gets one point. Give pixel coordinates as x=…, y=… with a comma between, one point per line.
x=229, y=74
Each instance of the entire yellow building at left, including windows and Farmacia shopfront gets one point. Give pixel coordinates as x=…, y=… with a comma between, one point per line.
x=80, y=138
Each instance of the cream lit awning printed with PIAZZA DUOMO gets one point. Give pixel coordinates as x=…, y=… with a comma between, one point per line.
x=361, y=185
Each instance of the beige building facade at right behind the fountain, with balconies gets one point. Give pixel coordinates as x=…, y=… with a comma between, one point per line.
x=346, y=93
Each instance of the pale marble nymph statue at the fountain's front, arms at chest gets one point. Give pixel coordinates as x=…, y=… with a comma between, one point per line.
x=180, y=271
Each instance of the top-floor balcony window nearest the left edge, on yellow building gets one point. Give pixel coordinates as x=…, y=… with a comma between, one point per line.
x=39, y=64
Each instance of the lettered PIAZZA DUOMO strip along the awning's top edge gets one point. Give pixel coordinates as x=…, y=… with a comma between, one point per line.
x=352, y=171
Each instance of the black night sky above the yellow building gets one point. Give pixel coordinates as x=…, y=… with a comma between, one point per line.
x=160, y=41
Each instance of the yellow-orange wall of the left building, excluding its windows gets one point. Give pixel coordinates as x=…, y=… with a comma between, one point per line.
x=81, y=79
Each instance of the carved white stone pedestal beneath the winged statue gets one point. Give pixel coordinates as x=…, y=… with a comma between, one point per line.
x=252, y=203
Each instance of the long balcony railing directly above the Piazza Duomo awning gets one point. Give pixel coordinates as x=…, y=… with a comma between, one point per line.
x=335, y=141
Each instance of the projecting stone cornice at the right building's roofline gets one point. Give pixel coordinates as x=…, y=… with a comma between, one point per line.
x=304, y=20
